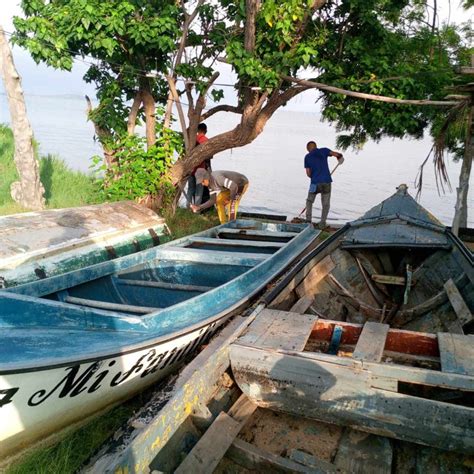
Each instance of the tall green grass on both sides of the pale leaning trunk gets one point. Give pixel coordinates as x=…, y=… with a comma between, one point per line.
x=63, y=186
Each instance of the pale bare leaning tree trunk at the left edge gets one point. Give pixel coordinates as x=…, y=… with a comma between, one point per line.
x=28, y=191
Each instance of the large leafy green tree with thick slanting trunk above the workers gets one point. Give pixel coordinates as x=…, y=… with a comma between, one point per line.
x=385, y=47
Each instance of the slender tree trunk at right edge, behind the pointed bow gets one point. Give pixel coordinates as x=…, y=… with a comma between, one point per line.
x=460, y=215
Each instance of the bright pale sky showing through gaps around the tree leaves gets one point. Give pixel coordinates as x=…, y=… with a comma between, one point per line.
x=43, y=80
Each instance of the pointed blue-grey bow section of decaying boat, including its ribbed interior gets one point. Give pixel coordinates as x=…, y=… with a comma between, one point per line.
x=396, y=265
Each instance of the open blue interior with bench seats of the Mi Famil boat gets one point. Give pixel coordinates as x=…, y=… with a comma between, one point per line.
x=171, y=273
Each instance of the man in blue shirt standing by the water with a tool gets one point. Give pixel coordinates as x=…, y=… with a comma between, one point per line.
x=316, y=165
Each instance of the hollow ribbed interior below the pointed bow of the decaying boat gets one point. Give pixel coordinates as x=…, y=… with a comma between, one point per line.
x=405, y=286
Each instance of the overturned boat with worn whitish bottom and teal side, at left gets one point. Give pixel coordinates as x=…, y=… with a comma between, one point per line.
x=37, y=245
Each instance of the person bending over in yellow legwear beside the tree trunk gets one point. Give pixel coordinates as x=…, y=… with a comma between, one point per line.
x=226, y=189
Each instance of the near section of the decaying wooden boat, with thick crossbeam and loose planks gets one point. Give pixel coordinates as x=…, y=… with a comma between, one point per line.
x=282, y=391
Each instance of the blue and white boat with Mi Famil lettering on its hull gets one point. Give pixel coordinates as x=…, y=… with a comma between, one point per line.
x=73, y=344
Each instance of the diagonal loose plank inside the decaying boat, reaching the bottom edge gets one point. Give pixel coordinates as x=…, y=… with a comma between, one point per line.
x=211, y=448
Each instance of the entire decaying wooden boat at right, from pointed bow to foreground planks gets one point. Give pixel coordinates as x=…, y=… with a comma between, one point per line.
x=304, y=385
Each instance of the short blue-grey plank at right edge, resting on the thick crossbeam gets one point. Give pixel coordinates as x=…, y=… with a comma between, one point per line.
x=456, y=353
